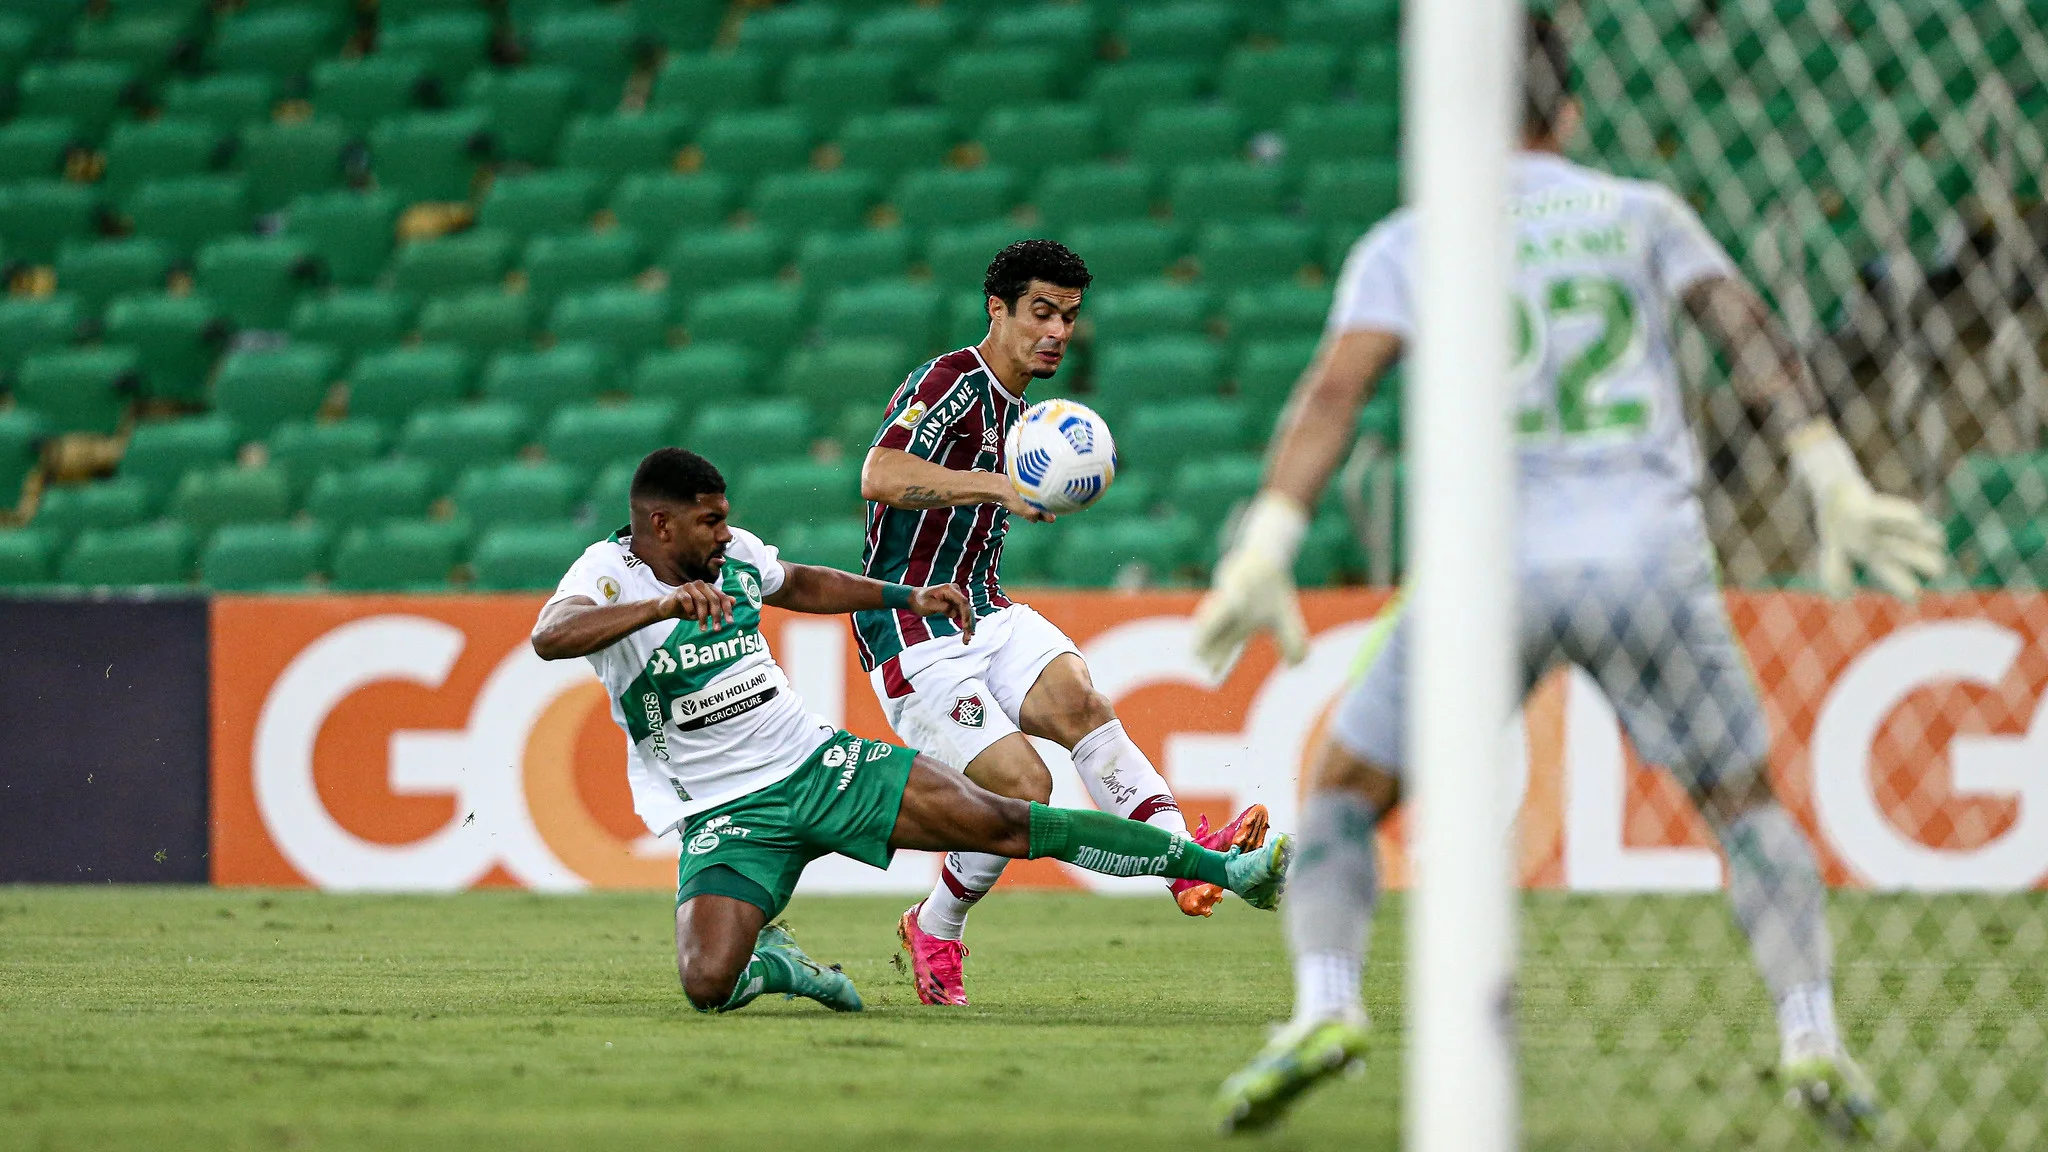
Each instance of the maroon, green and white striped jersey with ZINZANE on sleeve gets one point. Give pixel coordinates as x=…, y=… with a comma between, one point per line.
x=955, y=415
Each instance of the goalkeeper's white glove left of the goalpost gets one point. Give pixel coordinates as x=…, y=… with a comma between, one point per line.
x=1254, y=589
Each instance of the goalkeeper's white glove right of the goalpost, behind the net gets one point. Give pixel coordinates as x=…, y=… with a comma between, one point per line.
x=1891, y=538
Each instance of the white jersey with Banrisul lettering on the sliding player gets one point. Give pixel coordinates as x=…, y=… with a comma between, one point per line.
x=710, y=716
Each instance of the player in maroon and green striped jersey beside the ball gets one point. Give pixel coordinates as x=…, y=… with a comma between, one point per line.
x=939, y=509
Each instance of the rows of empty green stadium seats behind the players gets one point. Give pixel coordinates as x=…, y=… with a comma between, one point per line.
x=384, y=296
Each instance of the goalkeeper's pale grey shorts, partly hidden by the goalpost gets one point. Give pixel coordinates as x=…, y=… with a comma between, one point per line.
x=1654, y=632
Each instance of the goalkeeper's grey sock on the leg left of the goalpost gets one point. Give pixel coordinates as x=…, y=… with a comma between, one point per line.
x=1332, y=891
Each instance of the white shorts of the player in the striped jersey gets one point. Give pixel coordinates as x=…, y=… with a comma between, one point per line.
x=968, y=696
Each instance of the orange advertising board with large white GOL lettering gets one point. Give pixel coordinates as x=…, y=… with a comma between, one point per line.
x=415, y=743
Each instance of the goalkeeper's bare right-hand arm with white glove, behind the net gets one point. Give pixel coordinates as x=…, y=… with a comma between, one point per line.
x=1891, y=538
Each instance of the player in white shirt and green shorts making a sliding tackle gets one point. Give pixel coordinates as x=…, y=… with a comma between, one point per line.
x=669, y=614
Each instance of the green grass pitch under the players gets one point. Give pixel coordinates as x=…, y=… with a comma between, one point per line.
x=288, y=1020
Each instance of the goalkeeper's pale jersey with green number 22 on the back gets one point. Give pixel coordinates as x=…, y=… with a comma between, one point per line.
x=1601, y=263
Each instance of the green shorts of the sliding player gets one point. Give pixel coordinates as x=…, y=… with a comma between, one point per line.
x=845, y=798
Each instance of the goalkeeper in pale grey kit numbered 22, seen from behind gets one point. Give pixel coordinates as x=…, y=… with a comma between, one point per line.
x=1615, y=575
